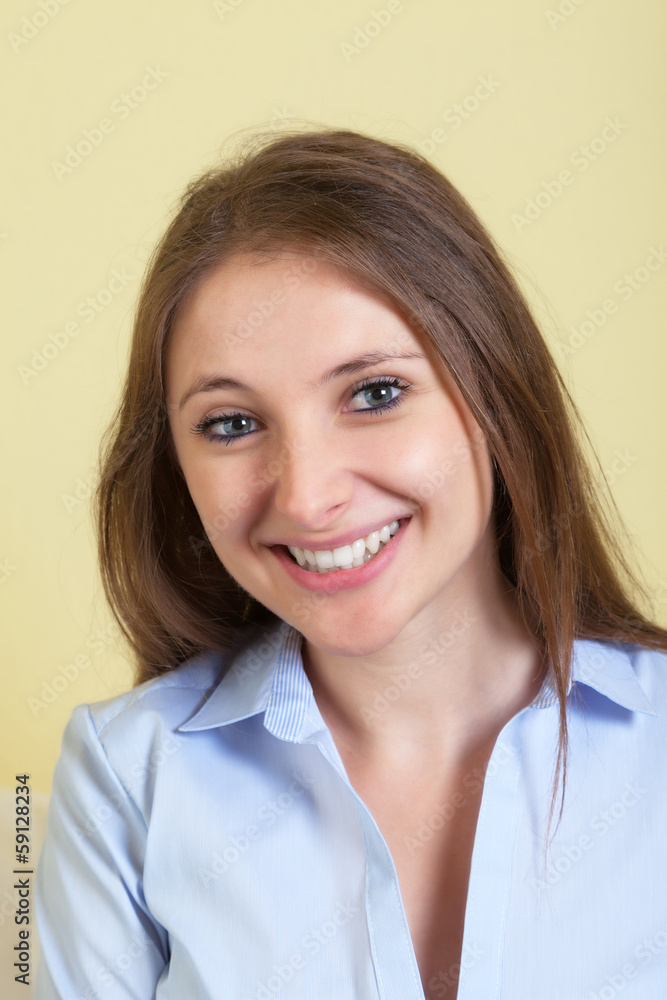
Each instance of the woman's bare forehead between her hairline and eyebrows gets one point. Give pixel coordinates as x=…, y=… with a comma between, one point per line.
x=290, y=307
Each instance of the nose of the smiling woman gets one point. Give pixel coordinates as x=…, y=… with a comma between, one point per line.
x=313, y=481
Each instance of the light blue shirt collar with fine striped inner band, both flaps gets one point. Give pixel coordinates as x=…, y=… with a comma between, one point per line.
x=268, y=676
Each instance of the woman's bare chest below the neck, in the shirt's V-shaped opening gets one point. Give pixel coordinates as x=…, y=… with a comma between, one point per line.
x=429, y=828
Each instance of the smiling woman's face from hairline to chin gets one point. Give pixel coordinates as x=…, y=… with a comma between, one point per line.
x=286, y=435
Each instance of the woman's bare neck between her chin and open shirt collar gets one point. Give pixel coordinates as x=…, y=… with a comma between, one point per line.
x=444, y=688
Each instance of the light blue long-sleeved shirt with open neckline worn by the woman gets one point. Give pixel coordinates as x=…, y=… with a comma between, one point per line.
x=204, y=841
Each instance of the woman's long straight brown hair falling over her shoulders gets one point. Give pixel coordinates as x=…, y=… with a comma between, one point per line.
x=385, y=215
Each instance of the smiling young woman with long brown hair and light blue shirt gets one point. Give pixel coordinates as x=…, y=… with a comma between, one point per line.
x=380, y=619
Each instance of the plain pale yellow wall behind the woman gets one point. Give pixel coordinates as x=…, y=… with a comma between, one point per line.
x=557, y=78
